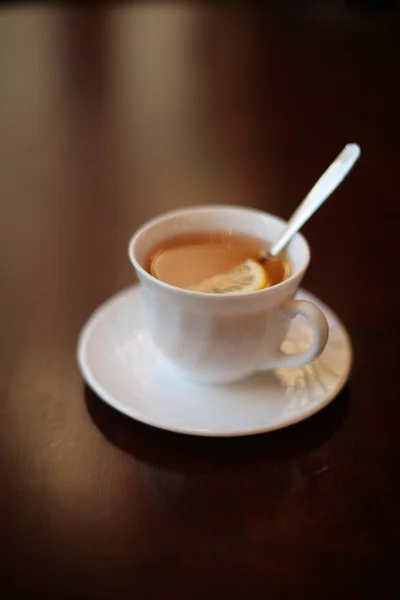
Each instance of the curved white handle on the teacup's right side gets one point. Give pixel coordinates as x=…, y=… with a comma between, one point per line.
x=319, y=324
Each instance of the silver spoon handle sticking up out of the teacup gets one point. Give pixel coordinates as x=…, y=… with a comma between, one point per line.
x=325, y=185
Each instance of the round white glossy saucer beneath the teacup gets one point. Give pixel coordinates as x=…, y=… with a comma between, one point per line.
x=119, y=362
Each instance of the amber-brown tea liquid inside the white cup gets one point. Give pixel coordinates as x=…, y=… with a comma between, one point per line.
x=186, y=260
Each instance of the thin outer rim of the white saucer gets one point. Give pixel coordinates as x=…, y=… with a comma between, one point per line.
x=107, y=397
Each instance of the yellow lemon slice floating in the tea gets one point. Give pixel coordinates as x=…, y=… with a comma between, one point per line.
x=249, y=276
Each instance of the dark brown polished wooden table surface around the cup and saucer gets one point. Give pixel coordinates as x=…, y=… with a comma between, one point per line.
x=107, y=118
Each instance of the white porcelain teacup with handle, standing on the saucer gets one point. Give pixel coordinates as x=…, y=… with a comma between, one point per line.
x=222, y=338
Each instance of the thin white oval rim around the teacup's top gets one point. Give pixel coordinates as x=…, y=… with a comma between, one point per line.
x=204, y=208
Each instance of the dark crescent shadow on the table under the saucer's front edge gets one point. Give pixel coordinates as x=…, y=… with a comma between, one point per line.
x=185, y=453
